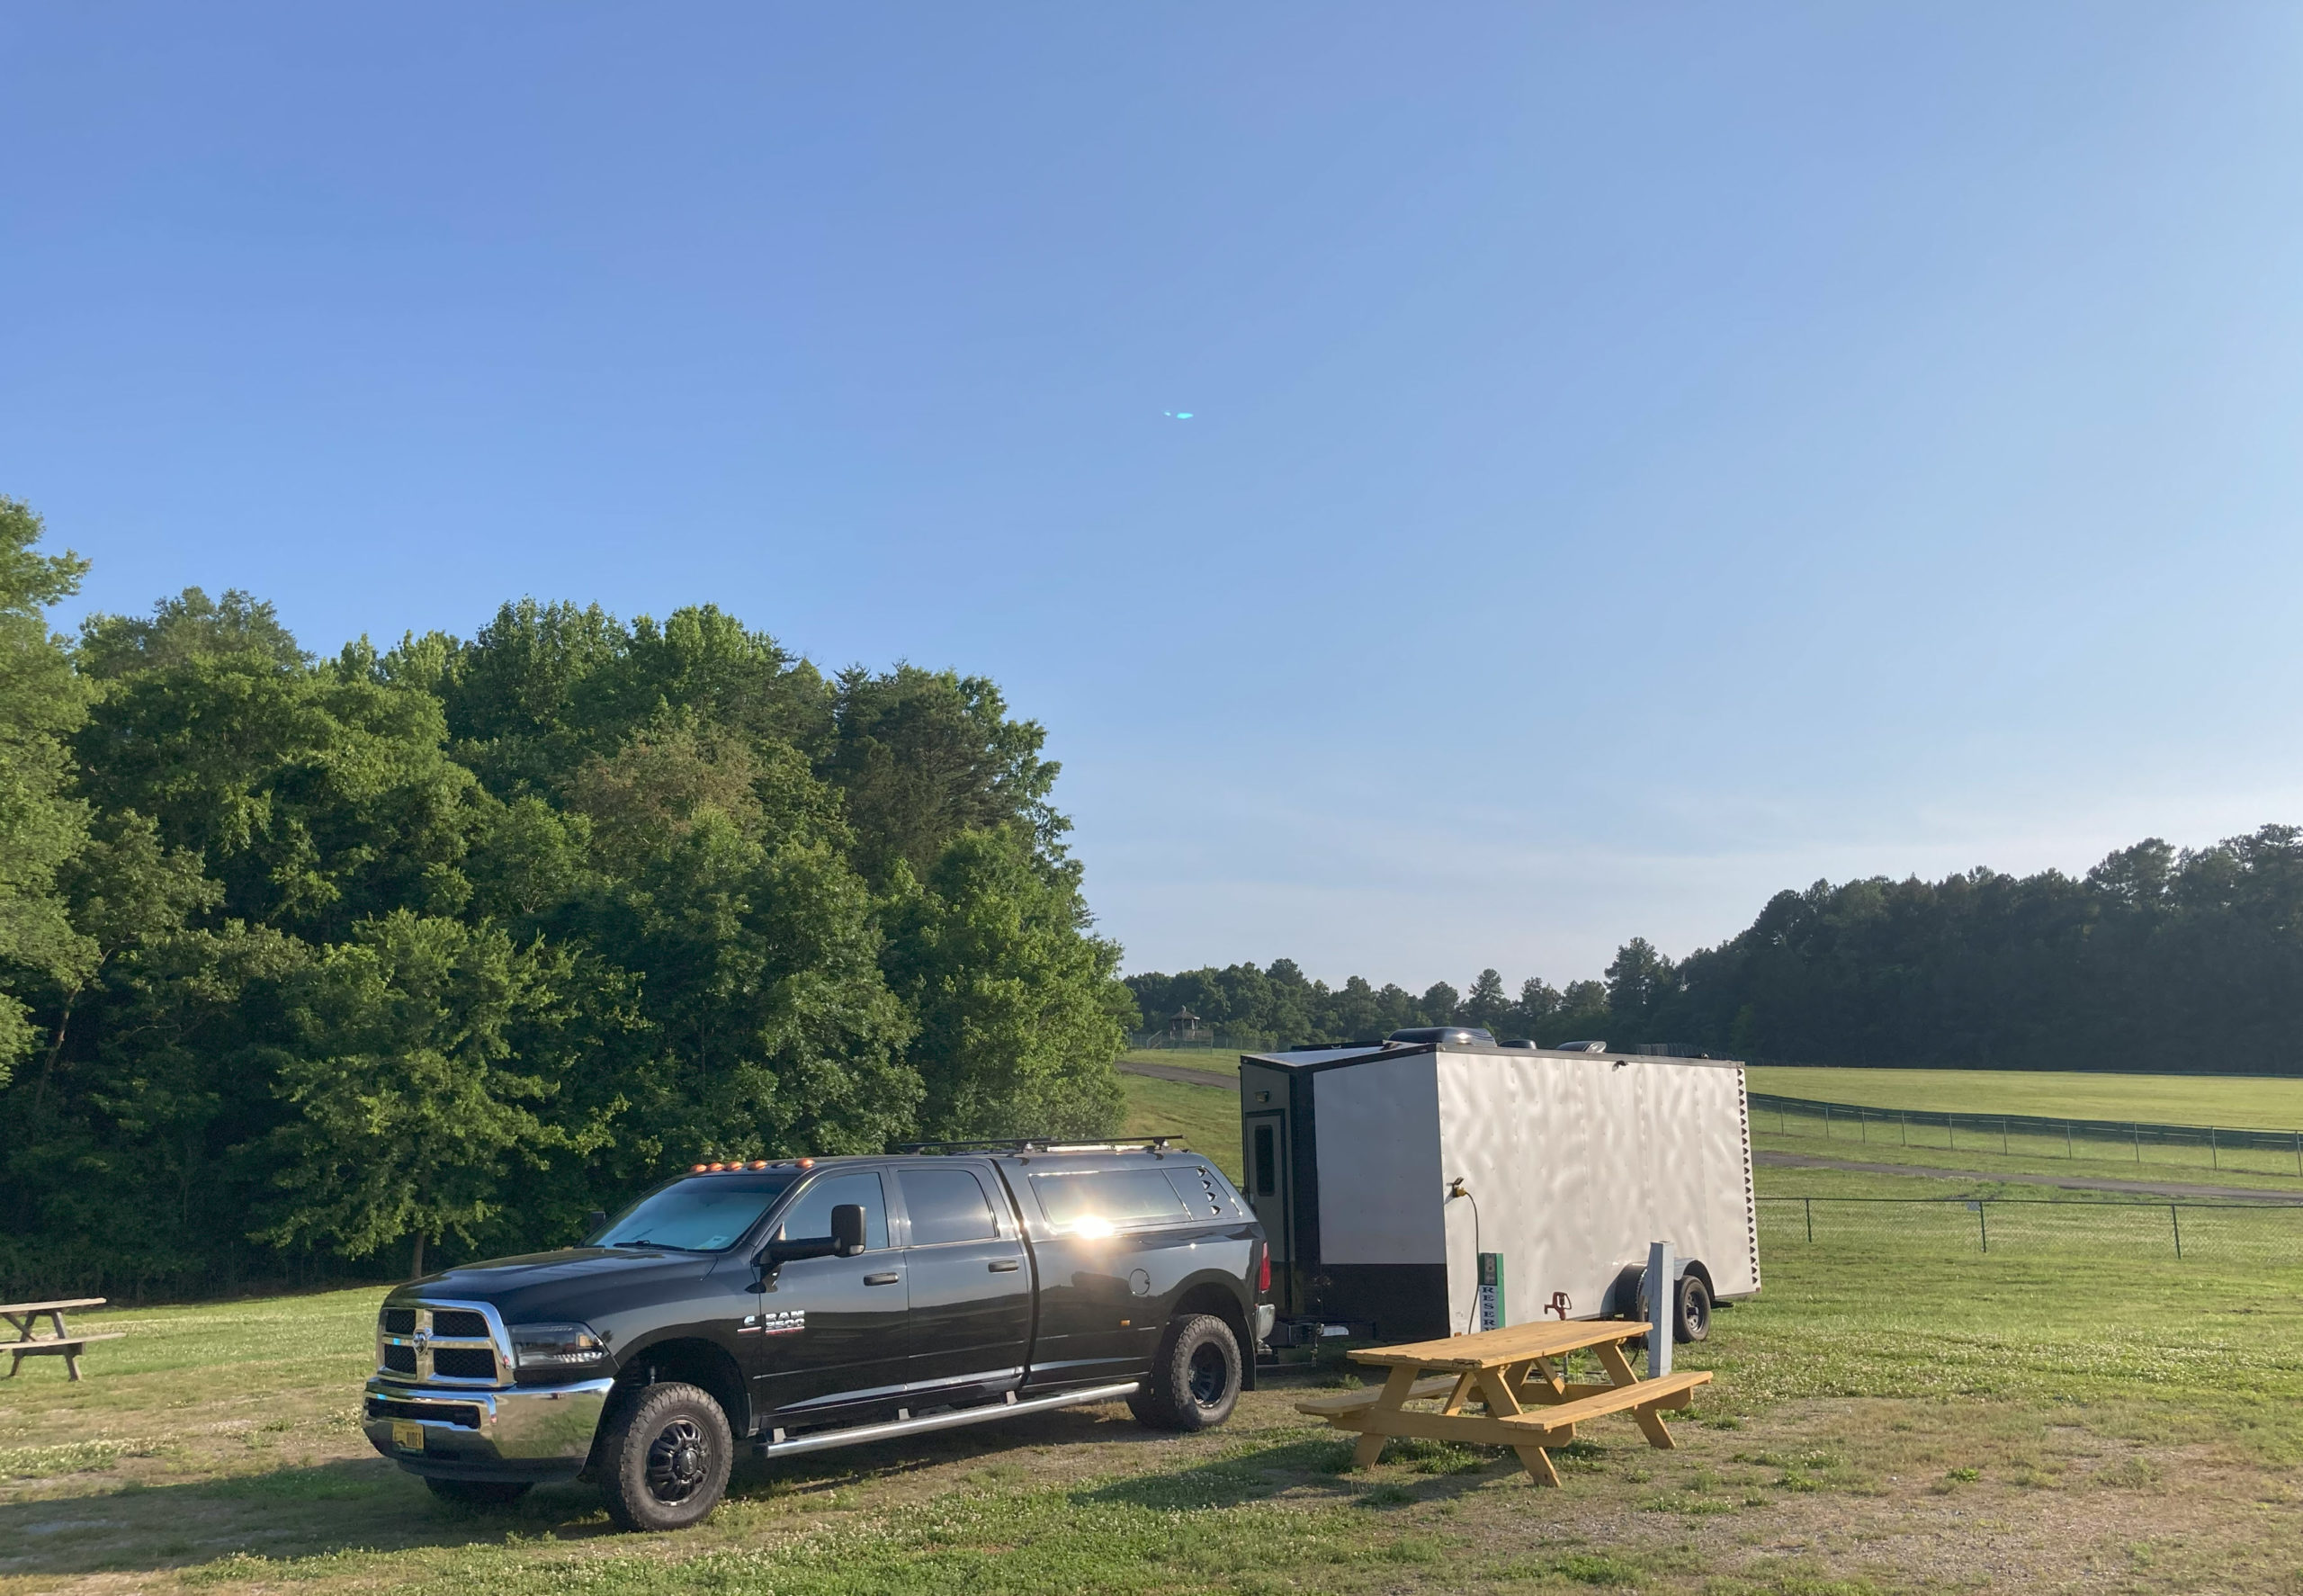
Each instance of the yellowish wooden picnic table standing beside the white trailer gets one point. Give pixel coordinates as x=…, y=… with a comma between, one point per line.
x=1517, y=1376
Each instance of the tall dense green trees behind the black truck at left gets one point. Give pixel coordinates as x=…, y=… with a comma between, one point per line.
x=330, y=959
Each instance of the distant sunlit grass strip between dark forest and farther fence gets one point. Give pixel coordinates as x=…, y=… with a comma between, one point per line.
x=2237, y=1102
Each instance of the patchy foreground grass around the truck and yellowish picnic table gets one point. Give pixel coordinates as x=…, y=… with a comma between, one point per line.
x=1885, y=1420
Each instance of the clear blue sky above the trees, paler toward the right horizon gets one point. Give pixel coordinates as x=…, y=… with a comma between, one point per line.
x=1641, y=457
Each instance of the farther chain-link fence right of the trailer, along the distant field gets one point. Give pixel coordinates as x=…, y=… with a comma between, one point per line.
x=2030, y=1137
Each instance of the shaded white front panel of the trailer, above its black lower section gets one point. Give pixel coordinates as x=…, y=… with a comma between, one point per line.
x=1381, y=1185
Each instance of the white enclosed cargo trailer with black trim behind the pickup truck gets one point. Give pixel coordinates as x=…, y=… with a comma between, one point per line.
x=1436, y=1190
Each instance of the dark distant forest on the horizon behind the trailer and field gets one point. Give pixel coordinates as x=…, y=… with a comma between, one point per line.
x=2159, y=959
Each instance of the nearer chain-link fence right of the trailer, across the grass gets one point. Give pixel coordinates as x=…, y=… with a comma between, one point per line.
x=2263, y=1233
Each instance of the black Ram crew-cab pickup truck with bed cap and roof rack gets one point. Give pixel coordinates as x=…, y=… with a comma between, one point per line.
x=823, y=1302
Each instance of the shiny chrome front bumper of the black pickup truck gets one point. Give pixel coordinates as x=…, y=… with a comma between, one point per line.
x=524, y=1434
